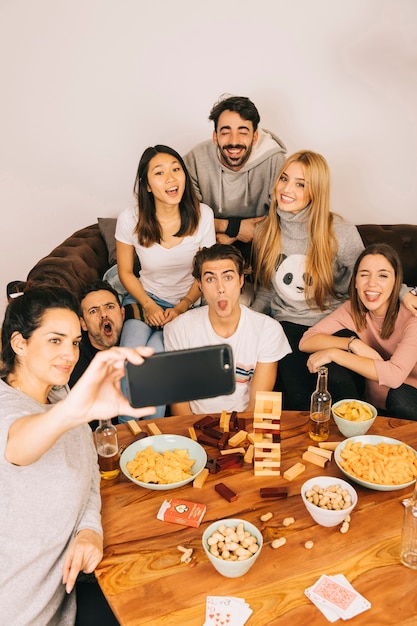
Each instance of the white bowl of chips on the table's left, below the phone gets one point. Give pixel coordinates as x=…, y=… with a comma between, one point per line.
x=163, y=462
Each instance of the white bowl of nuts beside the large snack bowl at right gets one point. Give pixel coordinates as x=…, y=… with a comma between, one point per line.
x=328, y=500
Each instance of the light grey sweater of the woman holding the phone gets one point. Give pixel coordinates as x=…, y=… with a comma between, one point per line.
x=43, y=506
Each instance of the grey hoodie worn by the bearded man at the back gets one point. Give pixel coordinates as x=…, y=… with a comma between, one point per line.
x=245, y=193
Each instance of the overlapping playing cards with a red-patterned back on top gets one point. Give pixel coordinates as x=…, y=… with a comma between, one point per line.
x=336, y=597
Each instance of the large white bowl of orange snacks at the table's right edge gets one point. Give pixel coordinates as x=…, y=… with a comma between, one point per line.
x=377, y=462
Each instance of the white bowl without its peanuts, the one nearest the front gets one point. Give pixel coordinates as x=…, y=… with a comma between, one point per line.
x=232, y=569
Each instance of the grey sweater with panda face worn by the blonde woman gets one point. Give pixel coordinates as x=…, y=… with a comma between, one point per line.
x=285, y=300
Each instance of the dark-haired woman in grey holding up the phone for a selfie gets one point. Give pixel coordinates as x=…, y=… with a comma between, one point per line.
x=50, y=482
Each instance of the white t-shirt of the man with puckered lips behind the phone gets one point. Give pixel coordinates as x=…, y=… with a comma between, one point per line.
x=258, y=339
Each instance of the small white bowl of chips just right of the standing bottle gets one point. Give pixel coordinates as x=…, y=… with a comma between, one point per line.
x=353, y=417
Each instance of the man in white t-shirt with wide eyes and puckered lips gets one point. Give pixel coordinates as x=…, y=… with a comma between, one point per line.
x=257, y=341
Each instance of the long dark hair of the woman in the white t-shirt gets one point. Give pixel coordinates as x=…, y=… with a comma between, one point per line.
x=148, y=228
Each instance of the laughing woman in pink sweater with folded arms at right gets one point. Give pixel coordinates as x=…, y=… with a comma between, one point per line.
x=382, y=346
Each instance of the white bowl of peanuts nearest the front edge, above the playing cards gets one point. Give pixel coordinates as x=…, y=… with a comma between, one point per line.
x=232, y=546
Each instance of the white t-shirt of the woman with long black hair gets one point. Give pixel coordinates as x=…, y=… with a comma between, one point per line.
x=166, y=272
